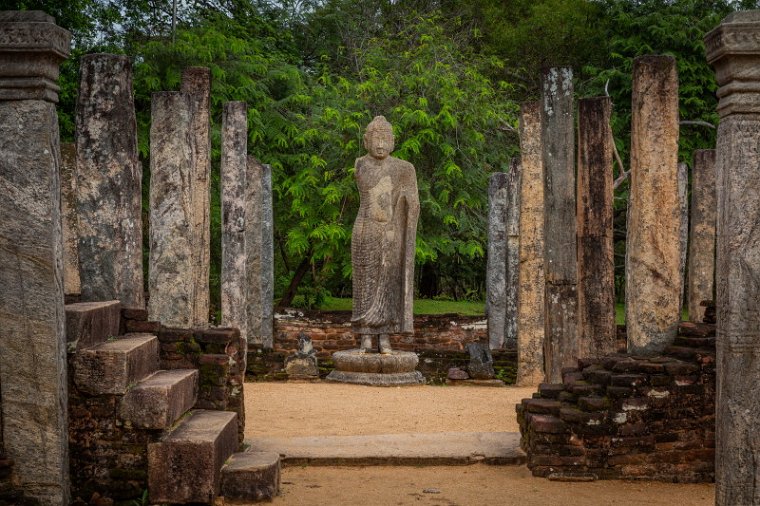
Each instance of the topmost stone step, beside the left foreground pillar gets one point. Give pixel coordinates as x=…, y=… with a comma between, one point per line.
x=91, y=323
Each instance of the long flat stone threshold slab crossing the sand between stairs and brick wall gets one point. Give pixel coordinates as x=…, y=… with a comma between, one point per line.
x=438, y=449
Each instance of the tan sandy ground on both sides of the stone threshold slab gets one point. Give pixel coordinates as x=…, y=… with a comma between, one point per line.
x=303, y=409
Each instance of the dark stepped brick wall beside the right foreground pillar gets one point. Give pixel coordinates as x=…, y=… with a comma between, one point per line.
x=628, y=417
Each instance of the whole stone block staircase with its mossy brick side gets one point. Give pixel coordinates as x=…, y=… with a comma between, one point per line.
x=133, y=426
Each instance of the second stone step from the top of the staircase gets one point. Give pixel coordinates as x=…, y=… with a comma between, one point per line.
x=115, y=365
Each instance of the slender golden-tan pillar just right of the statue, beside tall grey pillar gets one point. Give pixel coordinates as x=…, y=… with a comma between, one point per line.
x=530, y=298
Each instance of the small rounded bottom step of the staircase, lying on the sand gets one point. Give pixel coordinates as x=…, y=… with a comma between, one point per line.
x=251, y=477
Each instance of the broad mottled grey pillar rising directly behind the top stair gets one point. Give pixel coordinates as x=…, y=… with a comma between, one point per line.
x=109, y=183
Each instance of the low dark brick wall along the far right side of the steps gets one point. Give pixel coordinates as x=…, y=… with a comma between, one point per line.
x=218, y=354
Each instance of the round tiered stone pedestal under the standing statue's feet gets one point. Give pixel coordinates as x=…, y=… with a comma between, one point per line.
x=378, y=369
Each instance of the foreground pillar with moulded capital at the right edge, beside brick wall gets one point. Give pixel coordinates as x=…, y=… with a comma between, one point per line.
x=733, y=49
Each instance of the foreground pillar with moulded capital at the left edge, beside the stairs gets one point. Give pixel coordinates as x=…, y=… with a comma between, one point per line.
x=32, y=341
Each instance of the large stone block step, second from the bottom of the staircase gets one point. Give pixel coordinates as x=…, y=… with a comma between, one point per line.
x=185, y=466
